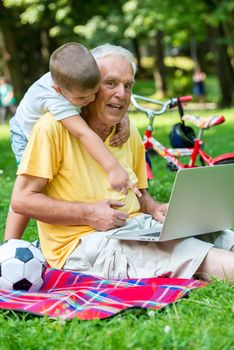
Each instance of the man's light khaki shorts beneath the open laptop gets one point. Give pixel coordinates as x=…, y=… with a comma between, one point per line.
x=110, y=258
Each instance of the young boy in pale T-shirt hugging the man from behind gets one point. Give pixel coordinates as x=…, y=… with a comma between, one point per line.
x=72, y=83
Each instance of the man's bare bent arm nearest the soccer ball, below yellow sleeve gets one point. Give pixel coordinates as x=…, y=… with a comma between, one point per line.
x=29, y=200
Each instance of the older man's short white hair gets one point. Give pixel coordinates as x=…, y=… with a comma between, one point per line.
x=105, y=50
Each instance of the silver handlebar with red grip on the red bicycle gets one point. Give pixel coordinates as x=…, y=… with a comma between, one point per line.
x=173, y=102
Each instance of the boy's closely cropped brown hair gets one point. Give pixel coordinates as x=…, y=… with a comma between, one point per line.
x=72, y=66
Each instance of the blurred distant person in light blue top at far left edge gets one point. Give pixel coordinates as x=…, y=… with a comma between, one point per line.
x=7, y=99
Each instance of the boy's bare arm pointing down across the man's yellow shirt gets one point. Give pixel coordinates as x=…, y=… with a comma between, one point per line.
x=118, y=177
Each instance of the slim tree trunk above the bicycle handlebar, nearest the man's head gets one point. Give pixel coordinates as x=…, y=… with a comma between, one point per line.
x=159, y=69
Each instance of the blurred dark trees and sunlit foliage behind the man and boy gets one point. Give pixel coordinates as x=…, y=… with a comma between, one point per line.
x=167, y=38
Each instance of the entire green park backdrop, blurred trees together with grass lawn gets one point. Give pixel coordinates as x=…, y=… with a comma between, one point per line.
x=167, y=38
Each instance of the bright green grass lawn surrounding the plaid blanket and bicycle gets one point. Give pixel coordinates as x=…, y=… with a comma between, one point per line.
x=204, y=320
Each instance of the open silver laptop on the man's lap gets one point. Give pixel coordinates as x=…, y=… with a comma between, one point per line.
x=201, y=201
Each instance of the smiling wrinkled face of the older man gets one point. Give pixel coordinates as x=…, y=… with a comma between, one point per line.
x=113, y=97
